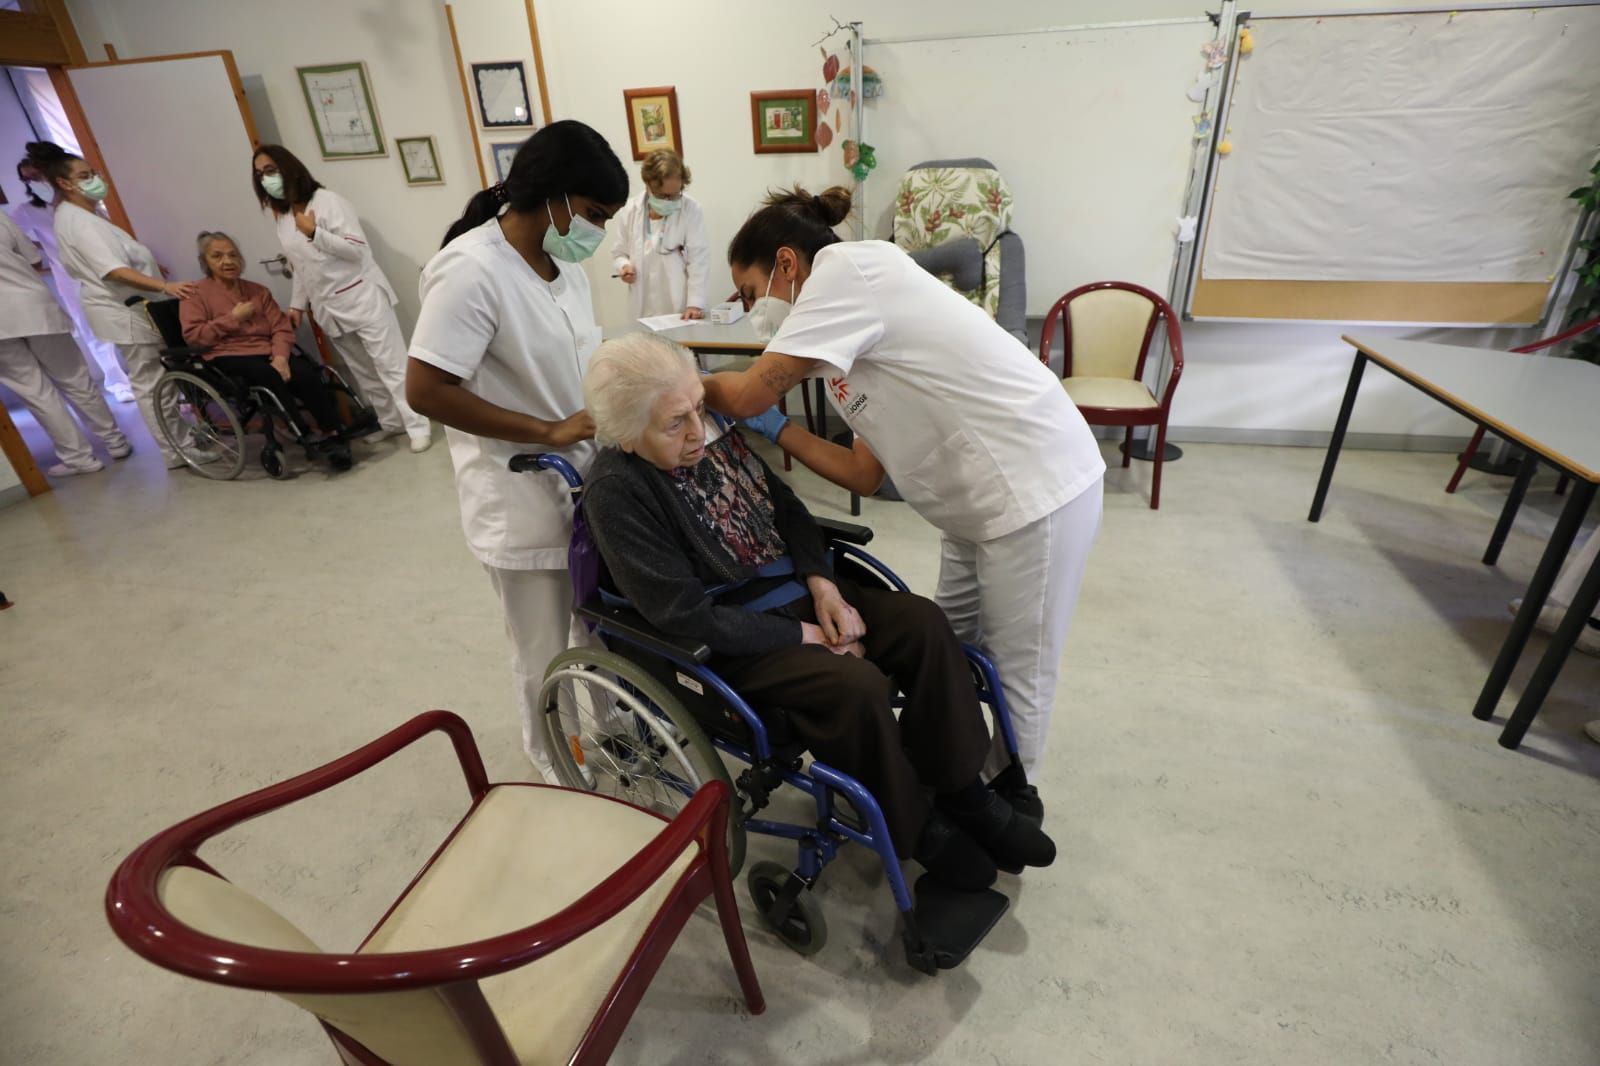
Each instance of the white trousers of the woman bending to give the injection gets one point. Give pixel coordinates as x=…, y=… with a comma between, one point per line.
x=1014, y=599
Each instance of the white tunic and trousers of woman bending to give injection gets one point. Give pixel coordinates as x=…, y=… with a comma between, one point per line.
x=980, y=439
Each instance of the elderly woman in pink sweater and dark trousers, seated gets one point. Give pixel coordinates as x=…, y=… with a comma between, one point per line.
x=252, y=342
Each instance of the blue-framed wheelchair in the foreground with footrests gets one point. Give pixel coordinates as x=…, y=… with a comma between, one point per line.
x=647, y=721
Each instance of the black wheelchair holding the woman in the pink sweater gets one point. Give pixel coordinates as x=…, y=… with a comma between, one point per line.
x=202, y=411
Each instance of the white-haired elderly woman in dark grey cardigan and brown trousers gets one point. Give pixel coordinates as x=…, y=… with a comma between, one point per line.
x=679, y=503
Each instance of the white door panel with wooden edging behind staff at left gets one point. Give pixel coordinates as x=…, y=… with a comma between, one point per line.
x=175, y=143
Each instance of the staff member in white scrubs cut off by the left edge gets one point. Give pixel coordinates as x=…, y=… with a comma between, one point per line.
x=41, y=363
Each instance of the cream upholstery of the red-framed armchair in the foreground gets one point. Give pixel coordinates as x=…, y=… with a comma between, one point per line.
x=522, y=856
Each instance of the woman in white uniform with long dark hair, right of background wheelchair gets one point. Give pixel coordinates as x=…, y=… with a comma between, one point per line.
x=338, y=281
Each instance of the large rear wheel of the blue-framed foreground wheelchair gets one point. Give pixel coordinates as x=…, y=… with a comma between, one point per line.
x=614, y=729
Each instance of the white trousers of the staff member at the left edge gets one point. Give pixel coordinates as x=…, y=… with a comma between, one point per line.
x=49, y=372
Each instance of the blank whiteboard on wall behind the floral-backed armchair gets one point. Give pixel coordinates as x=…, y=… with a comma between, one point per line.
x=1092, y=130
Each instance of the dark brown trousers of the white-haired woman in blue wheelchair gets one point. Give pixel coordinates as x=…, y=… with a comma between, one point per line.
x=839, y=705
